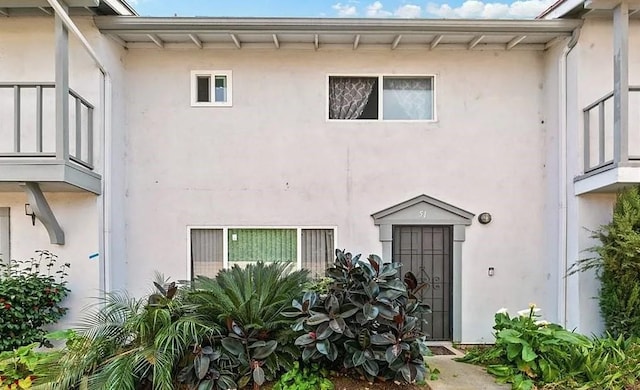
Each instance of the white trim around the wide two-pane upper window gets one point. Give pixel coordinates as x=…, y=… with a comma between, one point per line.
x=380, y=91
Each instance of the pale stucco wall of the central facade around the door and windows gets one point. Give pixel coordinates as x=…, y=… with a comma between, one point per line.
x=273, y=159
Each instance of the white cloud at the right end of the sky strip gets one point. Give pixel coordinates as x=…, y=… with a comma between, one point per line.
x=475, y=9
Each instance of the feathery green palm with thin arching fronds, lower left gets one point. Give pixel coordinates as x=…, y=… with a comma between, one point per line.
x=128, y=343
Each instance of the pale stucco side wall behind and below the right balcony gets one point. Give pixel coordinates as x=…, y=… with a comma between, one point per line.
x=590, y=69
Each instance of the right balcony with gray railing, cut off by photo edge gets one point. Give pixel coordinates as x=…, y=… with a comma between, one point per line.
x=610, y=161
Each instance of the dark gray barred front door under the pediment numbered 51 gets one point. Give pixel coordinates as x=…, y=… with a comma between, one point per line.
x=427, y=252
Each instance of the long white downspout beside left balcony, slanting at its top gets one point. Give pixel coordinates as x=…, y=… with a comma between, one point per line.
x=104, y=219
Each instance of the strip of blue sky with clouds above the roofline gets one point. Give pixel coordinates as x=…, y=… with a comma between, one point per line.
x=487, y=9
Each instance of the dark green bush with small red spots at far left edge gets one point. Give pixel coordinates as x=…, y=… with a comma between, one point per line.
x=31, y=292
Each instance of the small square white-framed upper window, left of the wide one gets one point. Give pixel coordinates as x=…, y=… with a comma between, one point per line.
x=210, y=88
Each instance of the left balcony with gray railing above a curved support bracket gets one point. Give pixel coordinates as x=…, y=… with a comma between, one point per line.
x=34, y=149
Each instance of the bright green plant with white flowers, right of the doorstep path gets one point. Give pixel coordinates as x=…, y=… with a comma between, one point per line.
x=530, y=351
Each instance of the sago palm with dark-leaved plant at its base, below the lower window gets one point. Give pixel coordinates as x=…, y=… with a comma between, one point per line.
x=247, y=302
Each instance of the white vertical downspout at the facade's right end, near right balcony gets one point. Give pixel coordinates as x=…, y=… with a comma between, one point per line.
x=562, y=167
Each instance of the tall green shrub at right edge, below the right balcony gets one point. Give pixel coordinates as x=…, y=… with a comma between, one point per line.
x=618, y=266
